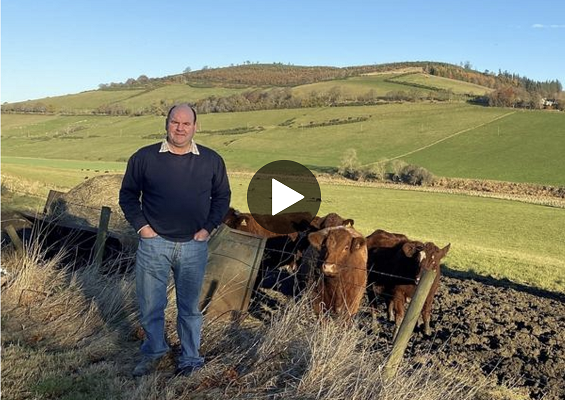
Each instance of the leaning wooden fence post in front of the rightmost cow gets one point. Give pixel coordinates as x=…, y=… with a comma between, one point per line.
x=408, y=323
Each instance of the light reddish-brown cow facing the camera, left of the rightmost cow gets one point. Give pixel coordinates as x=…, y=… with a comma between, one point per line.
x=335, y=266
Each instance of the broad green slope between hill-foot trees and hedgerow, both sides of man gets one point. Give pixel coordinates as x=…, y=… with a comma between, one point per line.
x=449, y=139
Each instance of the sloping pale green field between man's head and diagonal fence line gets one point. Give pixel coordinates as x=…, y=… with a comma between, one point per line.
x=387, y=131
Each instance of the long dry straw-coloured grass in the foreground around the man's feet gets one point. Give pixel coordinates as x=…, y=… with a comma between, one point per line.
x=71, y=334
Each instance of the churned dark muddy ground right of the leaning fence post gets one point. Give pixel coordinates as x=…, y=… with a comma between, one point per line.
x=517, y=334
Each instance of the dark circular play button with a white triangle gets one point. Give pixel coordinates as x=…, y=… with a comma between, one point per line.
x=284, y=197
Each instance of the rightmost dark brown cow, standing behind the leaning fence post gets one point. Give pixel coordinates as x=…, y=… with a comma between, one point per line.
x=395, y=269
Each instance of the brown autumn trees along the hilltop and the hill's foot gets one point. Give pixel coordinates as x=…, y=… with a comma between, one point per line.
x=273, y=84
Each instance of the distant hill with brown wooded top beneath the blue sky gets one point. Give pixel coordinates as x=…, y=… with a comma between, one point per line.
x=144, y=96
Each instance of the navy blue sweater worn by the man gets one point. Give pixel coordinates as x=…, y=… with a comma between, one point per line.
x=177, y=195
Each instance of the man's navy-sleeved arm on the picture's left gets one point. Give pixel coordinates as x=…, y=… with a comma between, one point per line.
x=130, y=194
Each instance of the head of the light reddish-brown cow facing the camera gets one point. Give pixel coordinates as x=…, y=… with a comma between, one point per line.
x=336, y=246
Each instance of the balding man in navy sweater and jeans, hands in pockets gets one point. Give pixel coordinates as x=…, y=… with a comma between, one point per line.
x=174, y=194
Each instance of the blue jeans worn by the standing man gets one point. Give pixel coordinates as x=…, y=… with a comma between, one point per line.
x=154, y=260
